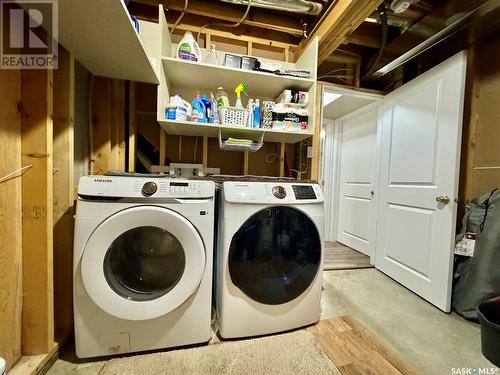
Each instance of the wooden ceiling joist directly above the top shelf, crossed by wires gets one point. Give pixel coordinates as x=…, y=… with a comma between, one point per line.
x=229, y=13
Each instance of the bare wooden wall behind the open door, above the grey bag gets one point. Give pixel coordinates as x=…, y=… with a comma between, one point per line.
x=480, y=167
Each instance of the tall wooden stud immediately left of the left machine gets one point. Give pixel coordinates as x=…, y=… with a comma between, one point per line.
x=63, y=194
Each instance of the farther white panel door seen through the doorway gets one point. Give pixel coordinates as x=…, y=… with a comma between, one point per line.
x=358, y=176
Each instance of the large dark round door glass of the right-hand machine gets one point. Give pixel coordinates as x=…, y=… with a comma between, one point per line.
x=275, y=255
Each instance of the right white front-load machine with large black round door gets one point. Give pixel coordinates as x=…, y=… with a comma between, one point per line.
x=269, y=257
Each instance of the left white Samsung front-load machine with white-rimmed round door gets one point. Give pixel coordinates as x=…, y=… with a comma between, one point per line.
x=143, y=255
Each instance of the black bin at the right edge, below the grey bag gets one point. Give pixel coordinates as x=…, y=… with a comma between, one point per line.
x=489, y=317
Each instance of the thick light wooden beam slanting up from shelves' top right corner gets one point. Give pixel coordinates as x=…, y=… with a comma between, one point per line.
x=339, y=21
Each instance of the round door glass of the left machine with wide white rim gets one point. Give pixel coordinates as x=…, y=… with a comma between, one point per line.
x=144, y=263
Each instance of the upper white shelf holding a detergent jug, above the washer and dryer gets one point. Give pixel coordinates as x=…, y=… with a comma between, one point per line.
x=181, y=73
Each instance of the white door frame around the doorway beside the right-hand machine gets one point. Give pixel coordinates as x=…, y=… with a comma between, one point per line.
x=331, y=155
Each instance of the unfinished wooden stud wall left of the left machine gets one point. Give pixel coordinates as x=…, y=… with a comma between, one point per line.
x=36, y=216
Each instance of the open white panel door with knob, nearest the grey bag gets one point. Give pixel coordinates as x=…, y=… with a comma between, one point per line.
x=421, y=137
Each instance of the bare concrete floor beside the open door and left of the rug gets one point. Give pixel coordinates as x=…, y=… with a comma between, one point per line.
x=432, y=342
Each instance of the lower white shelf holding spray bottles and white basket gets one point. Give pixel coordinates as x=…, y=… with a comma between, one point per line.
x=197, y=129
